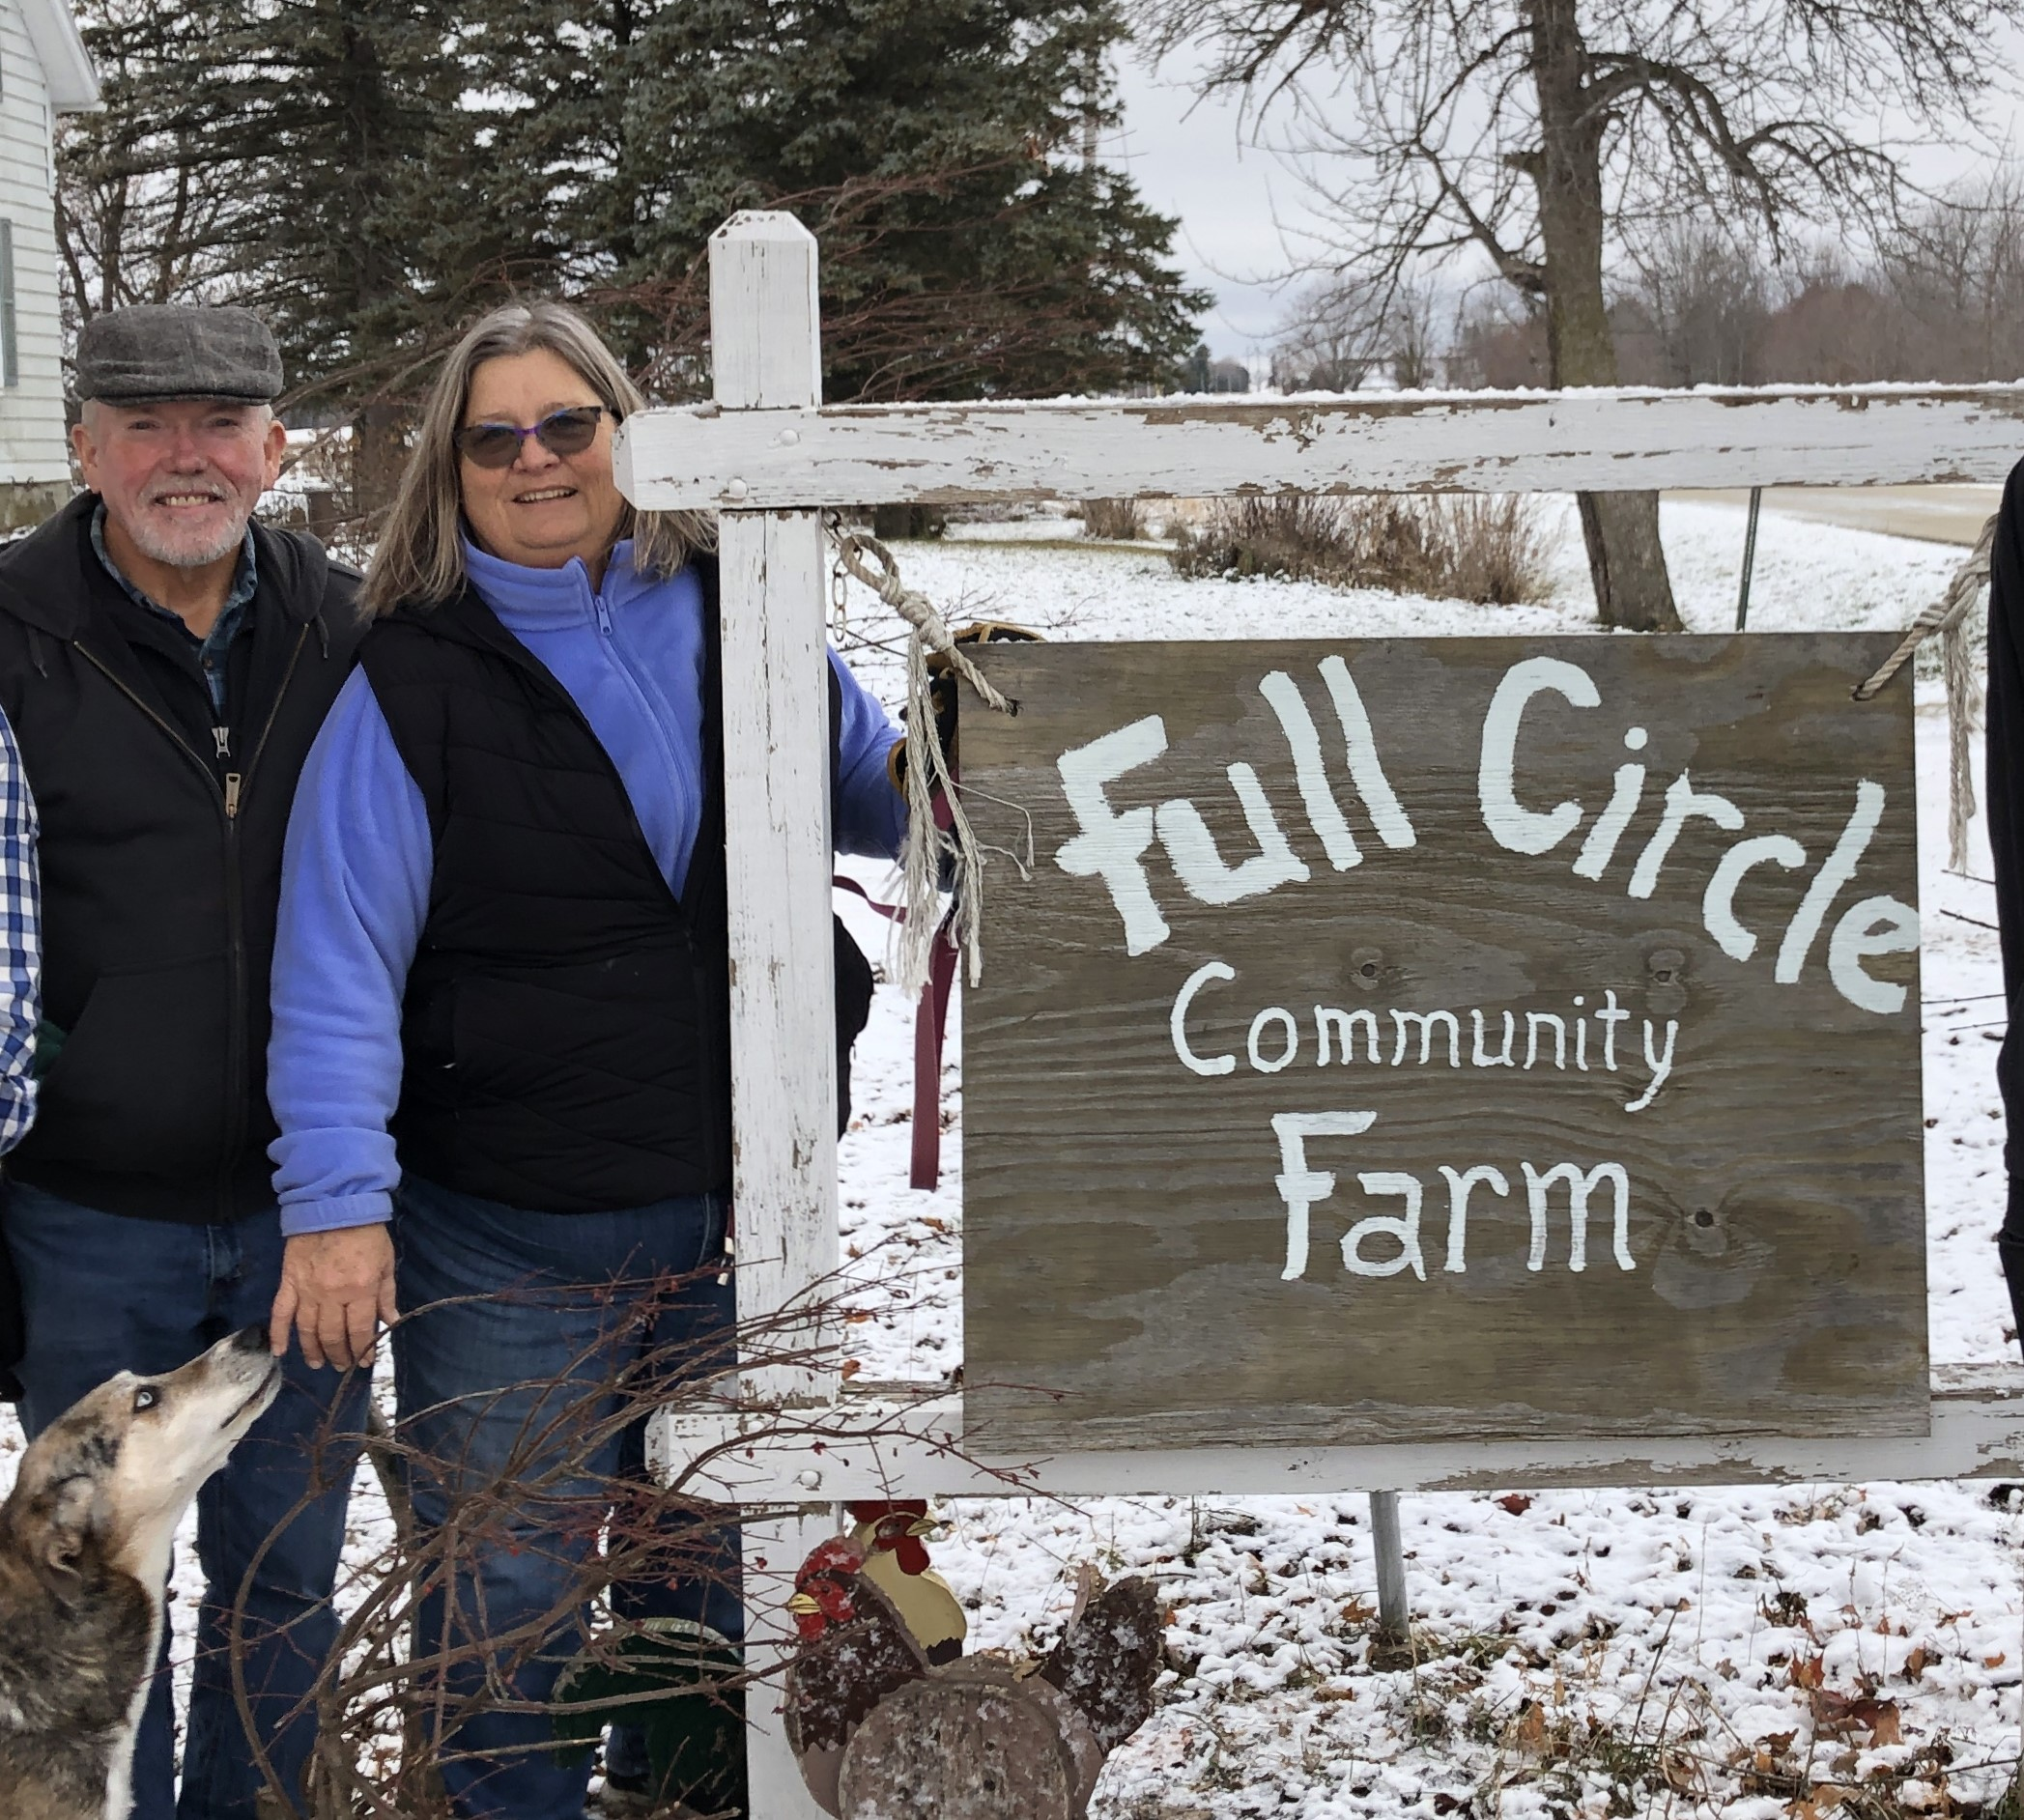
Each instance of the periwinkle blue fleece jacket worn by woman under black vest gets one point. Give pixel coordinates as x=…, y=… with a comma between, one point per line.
x=357, y=870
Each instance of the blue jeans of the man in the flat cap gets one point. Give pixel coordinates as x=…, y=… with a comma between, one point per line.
x=108, y=1293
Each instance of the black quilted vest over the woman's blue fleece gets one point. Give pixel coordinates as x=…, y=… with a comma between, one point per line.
x=568, y=1017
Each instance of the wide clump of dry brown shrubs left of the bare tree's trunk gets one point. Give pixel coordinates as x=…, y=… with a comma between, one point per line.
x=1472, y=548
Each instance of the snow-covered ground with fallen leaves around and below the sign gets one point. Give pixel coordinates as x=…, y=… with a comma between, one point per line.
x=1738, y=1653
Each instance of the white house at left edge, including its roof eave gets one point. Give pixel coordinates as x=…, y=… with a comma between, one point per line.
x=44, y=72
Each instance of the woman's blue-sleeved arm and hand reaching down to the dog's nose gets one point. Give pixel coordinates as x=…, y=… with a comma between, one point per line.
x=355, y=888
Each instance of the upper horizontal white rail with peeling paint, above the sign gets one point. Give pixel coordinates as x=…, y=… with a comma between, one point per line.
x=1430, y=442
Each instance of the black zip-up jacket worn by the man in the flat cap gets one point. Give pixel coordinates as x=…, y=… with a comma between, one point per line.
x=161, y=863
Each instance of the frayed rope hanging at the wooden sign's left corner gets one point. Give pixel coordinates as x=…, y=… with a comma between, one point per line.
x=928, y=772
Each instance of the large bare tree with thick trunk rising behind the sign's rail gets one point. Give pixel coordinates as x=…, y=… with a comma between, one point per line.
x=1535, y=133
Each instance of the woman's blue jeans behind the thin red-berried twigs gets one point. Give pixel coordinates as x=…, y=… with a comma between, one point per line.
x=503, y=1388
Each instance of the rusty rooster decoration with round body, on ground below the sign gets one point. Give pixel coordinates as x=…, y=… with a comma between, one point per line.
x=883, y=1730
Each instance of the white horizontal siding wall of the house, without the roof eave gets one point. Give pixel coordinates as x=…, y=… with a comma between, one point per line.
x=33, y=450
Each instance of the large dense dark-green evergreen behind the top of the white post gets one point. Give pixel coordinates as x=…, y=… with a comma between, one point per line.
x=938, y=149
